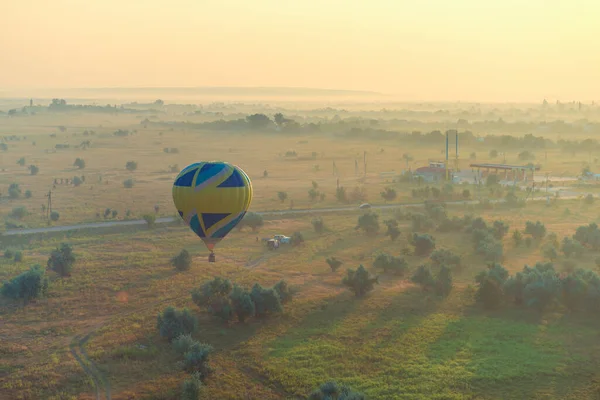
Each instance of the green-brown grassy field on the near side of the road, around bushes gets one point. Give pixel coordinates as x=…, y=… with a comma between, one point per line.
x=417, y=347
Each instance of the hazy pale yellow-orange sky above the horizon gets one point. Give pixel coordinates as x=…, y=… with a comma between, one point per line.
x=487, y=50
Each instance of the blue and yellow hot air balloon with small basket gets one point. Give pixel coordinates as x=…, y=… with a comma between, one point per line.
x=212, y=197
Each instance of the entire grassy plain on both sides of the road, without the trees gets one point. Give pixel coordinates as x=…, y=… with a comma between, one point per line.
x=397, y=342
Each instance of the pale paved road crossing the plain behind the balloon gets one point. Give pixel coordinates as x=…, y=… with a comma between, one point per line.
x=166, y=220
